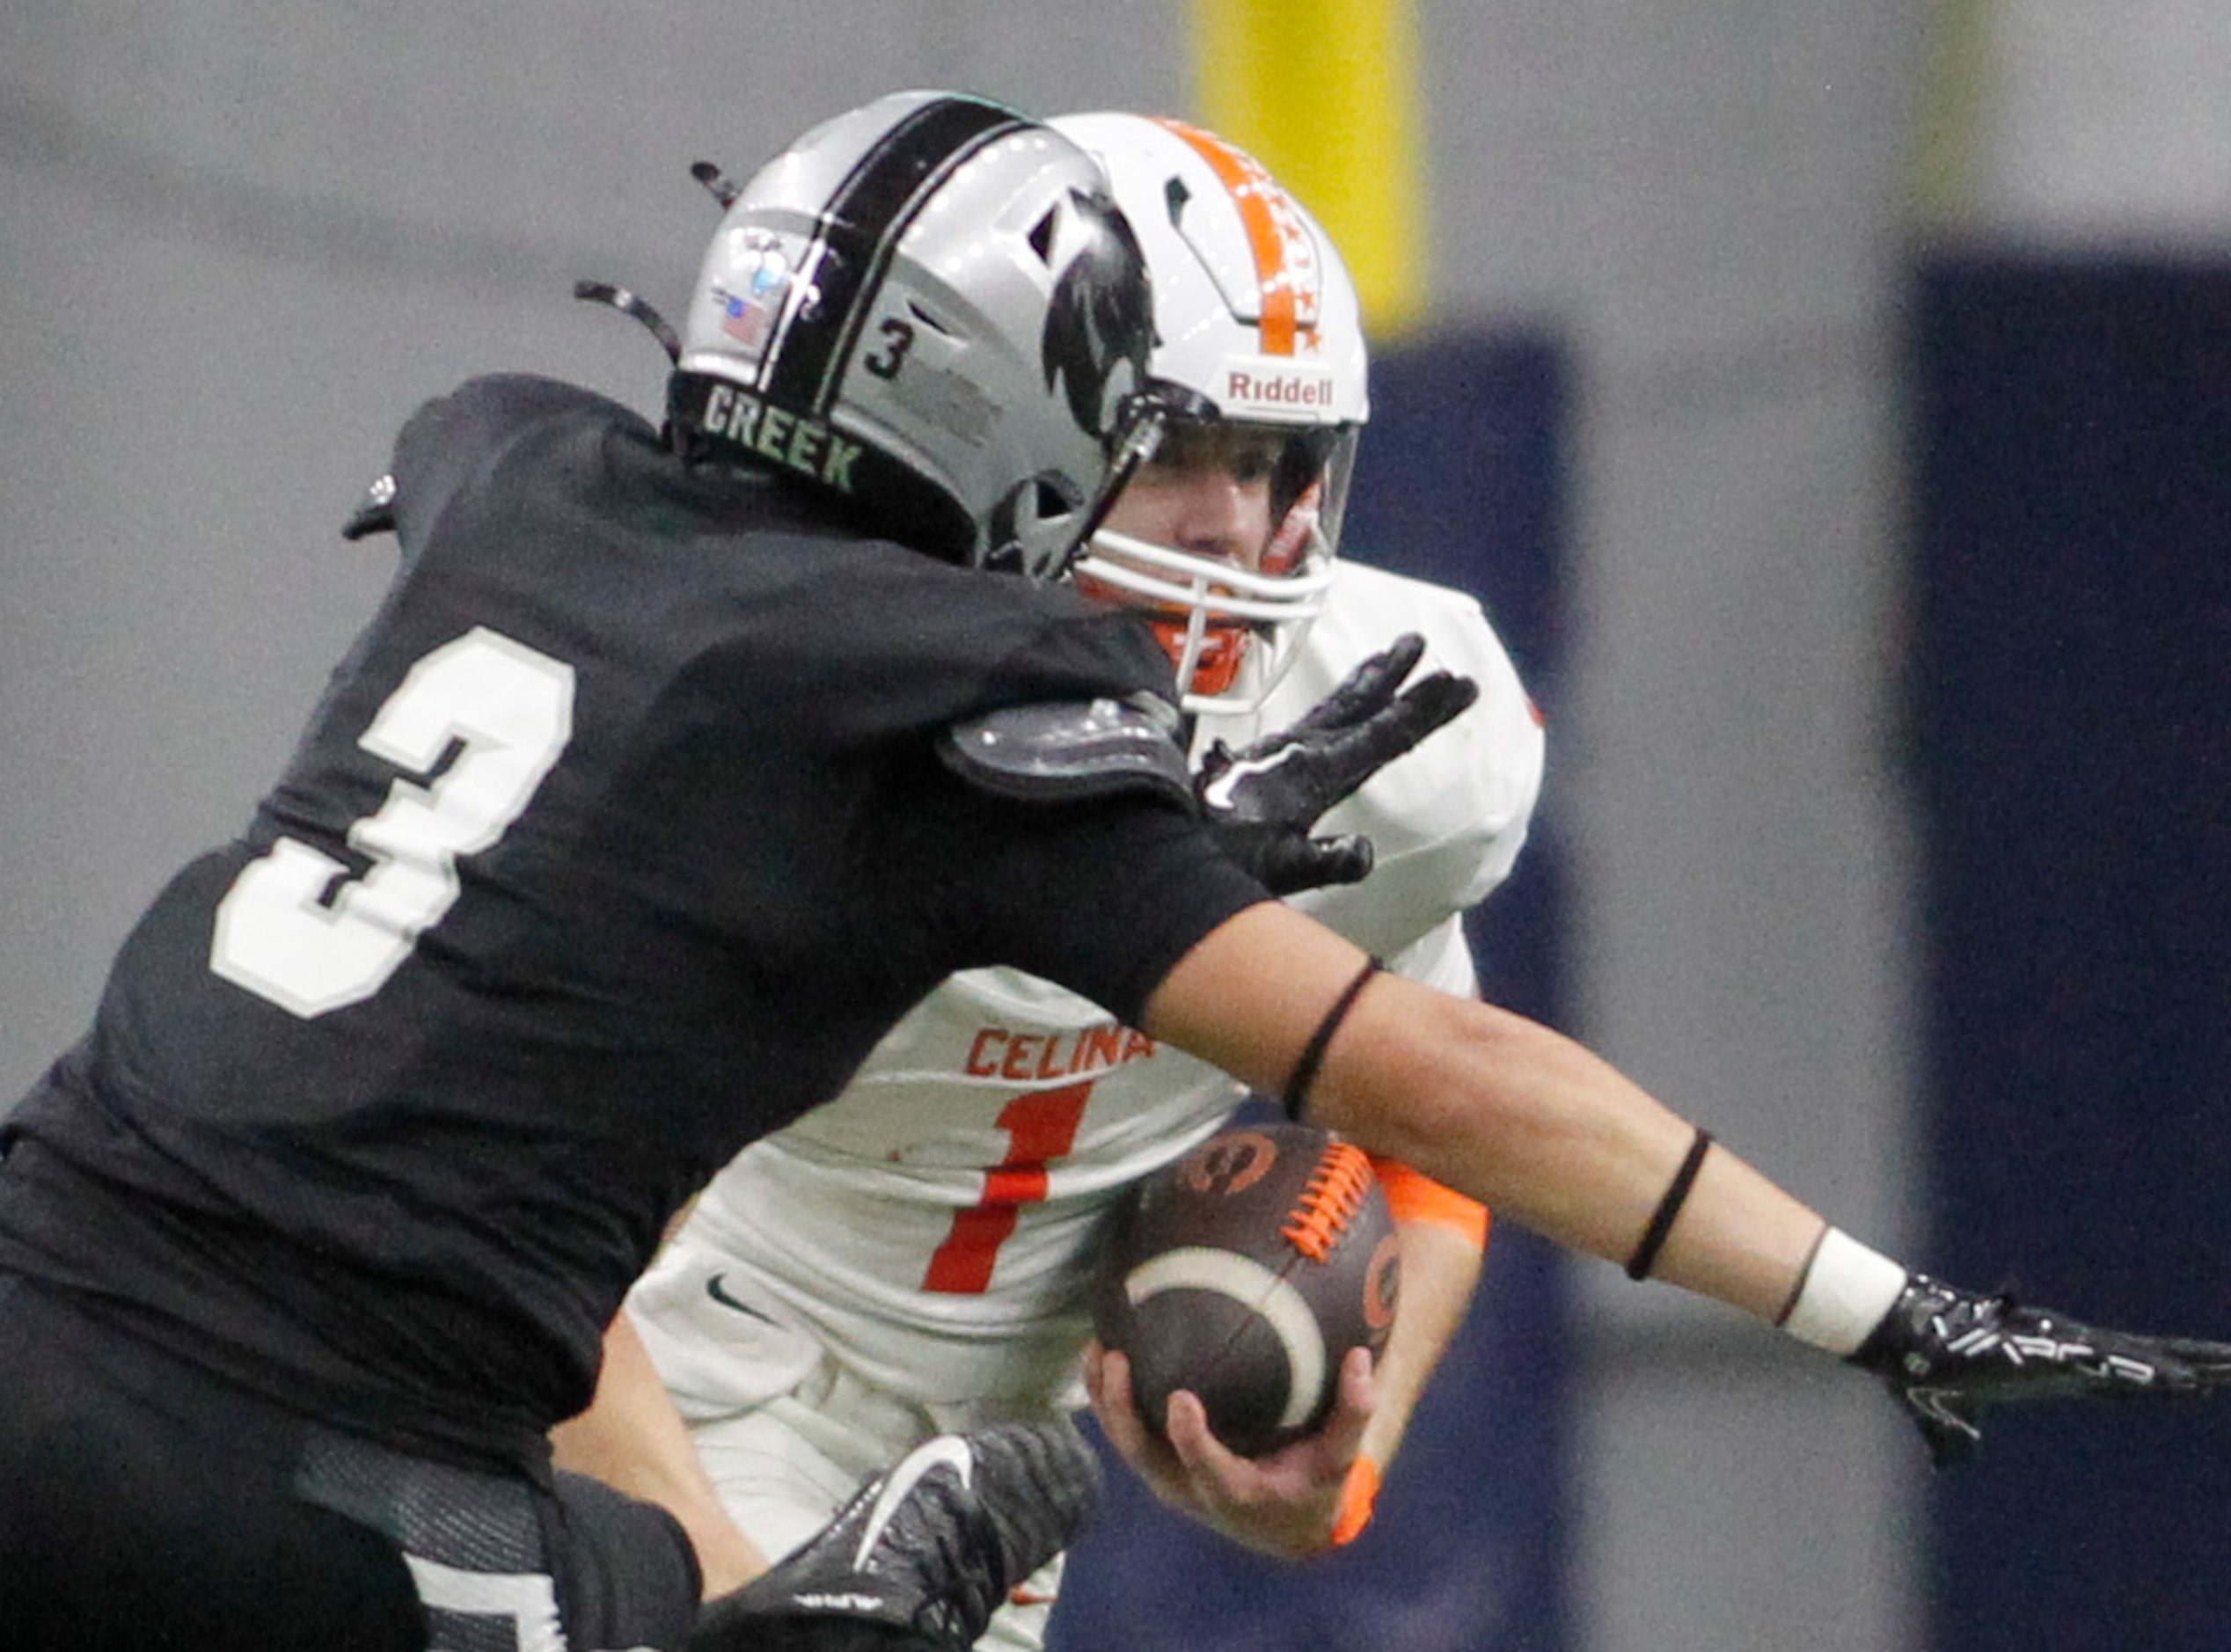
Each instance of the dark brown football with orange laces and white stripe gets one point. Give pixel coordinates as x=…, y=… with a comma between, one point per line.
x=1244, y=1274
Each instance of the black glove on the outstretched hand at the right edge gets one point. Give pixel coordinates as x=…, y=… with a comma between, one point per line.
x=1949, y=1354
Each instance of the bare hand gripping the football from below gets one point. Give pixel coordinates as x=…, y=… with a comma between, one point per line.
x=1284, y=1504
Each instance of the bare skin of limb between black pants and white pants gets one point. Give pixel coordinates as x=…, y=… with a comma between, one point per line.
x=635, y=1441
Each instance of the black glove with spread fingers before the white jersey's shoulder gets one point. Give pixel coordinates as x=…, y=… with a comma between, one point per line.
x=1266, y=797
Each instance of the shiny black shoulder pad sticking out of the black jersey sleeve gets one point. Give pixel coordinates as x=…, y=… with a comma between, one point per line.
x=1072, y=750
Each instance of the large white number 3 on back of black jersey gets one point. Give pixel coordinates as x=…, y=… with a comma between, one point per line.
x=512, y=712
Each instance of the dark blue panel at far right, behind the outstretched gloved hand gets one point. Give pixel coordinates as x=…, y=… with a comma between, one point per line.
x=2071, y=737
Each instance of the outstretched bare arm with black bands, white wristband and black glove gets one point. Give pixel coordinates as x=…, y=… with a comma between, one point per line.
x=1554, y=1138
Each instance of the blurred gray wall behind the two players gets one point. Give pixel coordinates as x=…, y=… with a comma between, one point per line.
x=242, y=240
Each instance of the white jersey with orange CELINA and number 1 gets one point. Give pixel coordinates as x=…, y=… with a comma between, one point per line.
x=936, y=1225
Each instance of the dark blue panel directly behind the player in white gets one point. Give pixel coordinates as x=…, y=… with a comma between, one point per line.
x=1460, y=480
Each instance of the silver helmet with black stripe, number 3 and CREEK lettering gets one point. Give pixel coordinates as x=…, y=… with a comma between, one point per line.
x=929, y=307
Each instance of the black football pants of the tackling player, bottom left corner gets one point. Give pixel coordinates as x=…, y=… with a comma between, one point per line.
x=148, y=1506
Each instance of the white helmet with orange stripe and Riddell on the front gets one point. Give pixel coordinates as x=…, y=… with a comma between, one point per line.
x=1257, y=324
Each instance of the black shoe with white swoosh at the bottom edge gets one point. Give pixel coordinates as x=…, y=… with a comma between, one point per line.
x=923, y=1555
